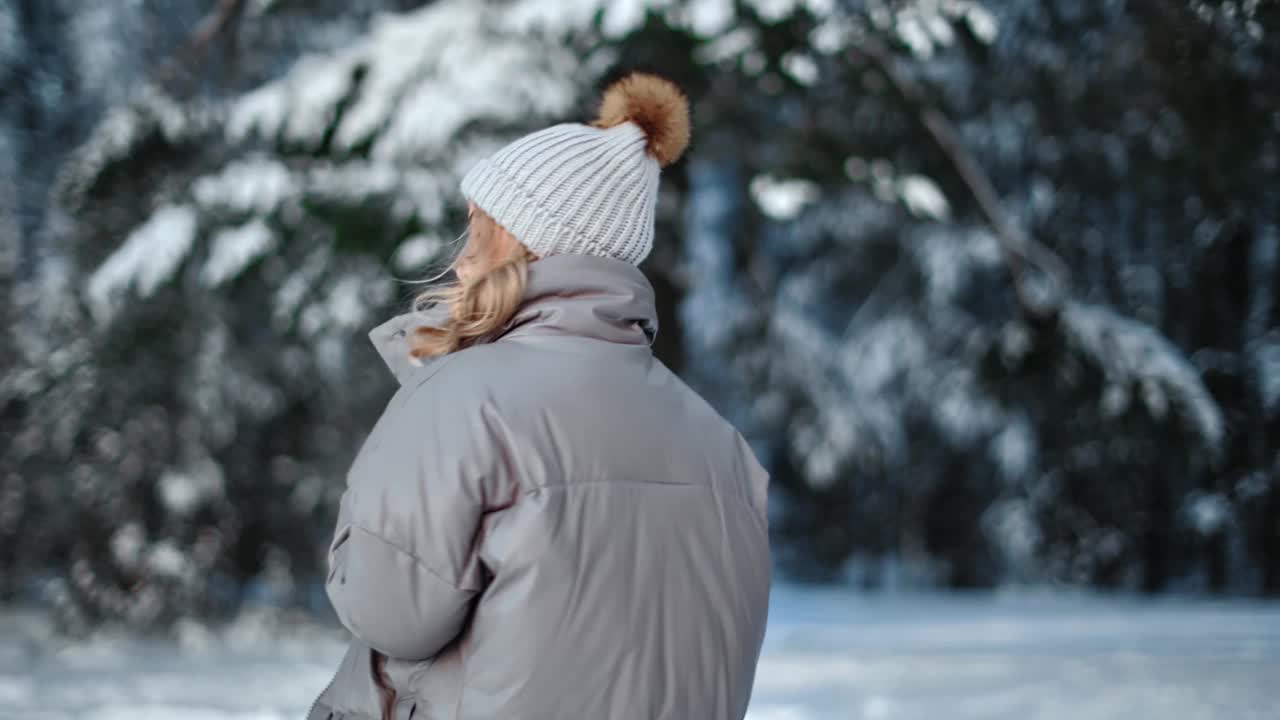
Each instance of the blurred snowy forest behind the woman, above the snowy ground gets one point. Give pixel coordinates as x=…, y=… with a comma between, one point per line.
x=993, y=286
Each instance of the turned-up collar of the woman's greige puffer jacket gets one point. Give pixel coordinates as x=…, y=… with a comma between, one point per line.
x=566, y=295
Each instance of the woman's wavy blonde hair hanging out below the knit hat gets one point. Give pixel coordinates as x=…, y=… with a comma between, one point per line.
x=477, y=308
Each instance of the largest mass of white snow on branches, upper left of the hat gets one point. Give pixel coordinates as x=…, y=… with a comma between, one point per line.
x=413, y=85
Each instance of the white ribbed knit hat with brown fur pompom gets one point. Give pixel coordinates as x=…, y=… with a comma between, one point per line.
x=588, y=190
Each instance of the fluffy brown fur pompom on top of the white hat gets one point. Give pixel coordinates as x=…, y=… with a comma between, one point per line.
x=655, y=104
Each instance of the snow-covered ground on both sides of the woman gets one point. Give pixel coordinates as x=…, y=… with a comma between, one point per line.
x=830, y=655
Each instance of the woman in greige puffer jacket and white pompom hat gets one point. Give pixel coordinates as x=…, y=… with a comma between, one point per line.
x=546, y=523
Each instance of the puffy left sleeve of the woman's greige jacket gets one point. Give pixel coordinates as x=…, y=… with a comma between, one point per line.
x=404, y=568
